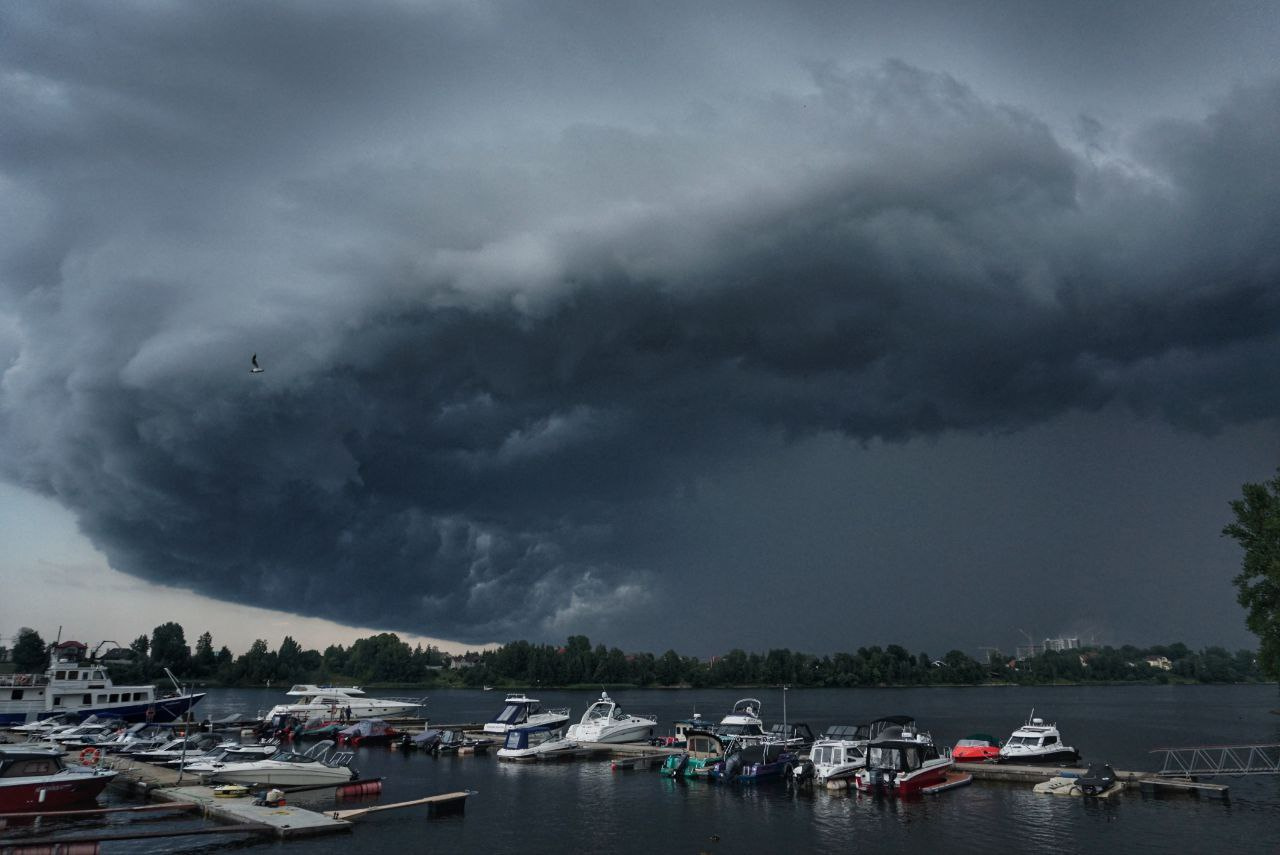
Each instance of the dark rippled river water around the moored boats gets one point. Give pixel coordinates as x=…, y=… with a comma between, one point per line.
x=586, y=807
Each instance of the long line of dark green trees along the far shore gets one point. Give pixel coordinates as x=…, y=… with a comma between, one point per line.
x=385, y=659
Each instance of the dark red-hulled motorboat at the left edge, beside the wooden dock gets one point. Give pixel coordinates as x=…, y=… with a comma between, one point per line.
x=35, y=779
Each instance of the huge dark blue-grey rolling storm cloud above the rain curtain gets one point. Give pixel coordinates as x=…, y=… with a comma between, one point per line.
x=522, y=281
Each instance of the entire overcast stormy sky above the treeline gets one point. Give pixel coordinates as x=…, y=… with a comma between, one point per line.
x=697, y=326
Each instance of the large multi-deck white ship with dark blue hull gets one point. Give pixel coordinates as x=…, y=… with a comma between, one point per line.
x=84, y=689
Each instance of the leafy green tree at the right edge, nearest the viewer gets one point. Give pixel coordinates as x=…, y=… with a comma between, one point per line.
x=1258, y=531
